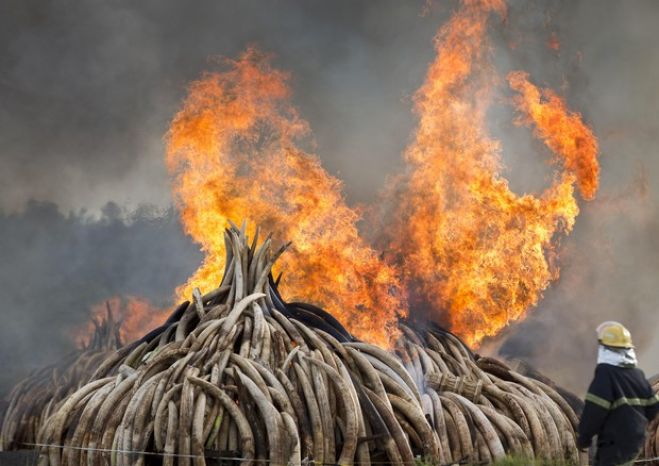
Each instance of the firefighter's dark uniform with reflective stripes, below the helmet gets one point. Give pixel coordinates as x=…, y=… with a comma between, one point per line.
x=619, y=405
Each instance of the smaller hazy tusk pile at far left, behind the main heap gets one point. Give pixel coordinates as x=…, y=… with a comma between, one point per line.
x=34, y=399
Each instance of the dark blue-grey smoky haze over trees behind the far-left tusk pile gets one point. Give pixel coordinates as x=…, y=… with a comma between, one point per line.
x=55, y=267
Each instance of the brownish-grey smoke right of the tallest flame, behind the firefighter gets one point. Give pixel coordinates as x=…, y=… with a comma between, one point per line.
x=610, y=262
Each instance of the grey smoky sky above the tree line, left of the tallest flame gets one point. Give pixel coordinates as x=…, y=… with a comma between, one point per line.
x=87, y=89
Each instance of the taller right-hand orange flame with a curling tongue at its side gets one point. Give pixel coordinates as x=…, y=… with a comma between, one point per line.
x=475, y=253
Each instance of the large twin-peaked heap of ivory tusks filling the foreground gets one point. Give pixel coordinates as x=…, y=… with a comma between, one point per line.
x=238, y=373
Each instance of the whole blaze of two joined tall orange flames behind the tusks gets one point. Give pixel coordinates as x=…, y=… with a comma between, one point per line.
x=460, y=243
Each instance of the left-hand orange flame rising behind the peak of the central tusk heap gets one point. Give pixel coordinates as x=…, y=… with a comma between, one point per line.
x=235, y=151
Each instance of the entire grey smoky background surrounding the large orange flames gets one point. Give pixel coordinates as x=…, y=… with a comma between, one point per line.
x=87, y=89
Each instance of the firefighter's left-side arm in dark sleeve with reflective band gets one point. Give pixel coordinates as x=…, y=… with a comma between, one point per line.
x=596, y=408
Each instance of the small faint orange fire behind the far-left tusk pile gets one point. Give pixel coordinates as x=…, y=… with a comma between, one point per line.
x=135, y=315
